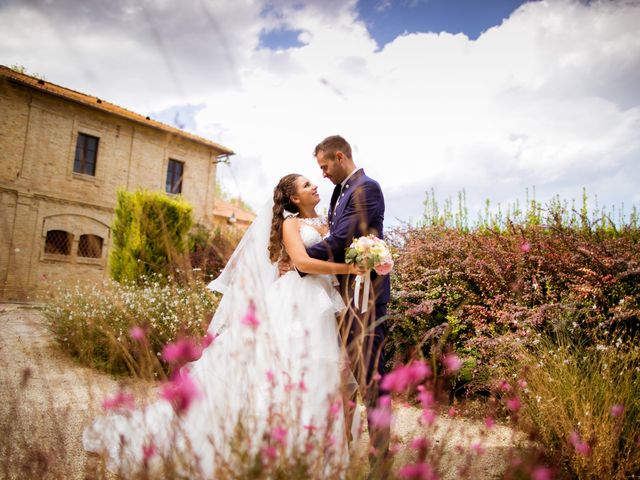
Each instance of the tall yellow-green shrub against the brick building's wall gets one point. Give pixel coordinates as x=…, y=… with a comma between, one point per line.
x=149, y=234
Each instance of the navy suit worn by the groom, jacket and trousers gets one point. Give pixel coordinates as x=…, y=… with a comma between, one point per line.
x=356, y=210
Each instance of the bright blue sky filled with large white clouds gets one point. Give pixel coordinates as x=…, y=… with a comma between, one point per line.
x=495, y=97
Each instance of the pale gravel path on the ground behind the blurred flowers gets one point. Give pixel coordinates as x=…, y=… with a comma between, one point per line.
x=46, y=400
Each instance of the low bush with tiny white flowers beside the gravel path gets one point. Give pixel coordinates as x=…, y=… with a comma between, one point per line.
x=94, y=324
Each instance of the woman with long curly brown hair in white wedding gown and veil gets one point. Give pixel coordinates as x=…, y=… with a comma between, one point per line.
x=269, y=386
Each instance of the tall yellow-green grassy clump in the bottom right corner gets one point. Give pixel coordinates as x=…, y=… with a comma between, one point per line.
x=583, y=402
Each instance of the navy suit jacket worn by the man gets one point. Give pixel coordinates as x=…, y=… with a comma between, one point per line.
x=359, y=211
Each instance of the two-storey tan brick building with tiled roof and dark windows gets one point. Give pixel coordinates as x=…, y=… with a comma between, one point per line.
x=63, y=155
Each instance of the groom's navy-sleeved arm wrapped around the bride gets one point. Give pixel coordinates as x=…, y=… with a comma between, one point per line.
x=361, y=212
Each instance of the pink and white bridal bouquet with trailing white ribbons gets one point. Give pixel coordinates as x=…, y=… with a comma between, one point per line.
x=368, y=252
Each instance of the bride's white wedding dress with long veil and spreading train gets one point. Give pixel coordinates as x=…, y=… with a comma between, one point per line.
x=287, y=368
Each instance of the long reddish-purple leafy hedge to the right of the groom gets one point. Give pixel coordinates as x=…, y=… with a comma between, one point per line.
x=491, y=286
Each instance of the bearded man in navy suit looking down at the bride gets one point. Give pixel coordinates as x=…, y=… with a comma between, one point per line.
x=357, y=209
